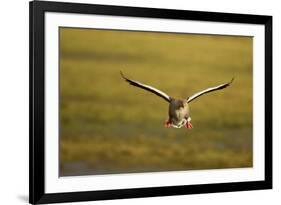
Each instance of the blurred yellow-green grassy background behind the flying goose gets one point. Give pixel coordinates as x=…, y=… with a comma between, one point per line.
x=108, y=126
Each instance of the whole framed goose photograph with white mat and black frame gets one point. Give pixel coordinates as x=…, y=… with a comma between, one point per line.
x=140, y=102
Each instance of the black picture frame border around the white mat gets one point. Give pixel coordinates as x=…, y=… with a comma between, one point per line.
x=37, y=194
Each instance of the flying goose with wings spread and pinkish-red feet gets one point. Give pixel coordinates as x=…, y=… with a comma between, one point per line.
x=178, y=112
